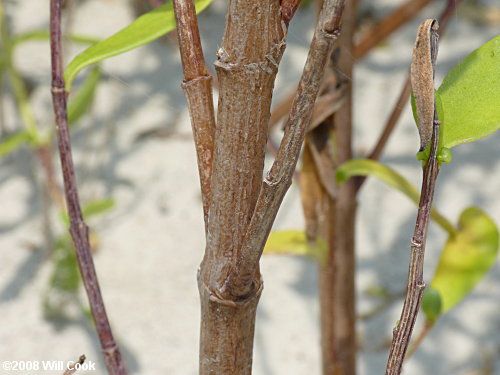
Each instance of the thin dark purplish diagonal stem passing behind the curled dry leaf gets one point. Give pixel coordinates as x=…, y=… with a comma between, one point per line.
x=403, y=96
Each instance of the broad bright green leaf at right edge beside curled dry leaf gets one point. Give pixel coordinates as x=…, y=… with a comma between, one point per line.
x=470, y=97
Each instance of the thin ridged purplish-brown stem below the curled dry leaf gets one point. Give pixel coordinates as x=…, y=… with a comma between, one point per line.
x=416, y=285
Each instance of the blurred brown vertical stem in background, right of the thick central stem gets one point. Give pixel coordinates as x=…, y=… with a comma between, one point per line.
x=336, y=276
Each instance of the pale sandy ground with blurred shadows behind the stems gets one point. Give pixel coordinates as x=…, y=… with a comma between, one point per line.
x=137, y=175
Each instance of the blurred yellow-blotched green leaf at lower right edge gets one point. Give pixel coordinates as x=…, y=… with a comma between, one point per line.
x=466, y=257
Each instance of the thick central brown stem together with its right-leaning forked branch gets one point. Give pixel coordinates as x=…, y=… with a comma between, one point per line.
x=243, y=207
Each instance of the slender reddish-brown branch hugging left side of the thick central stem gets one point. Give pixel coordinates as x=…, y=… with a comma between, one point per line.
x=197, y=87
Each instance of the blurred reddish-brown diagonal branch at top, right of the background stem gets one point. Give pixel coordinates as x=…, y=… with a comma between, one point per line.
x=388, y=25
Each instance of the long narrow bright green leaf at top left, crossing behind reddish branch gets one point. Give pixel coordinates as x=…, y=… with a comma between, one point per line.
x=143, y=30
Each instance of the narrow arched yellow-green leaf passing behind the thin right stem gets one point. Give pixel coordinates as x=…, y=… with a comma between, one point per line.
x=368, y=167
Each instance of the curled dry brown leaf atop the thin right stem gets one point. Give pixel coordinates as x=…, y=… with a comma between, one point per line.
x=422, y=77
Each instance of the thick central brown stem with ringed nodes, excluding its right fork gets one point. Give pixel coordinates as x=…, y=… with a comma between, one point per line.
x=247, y=63
